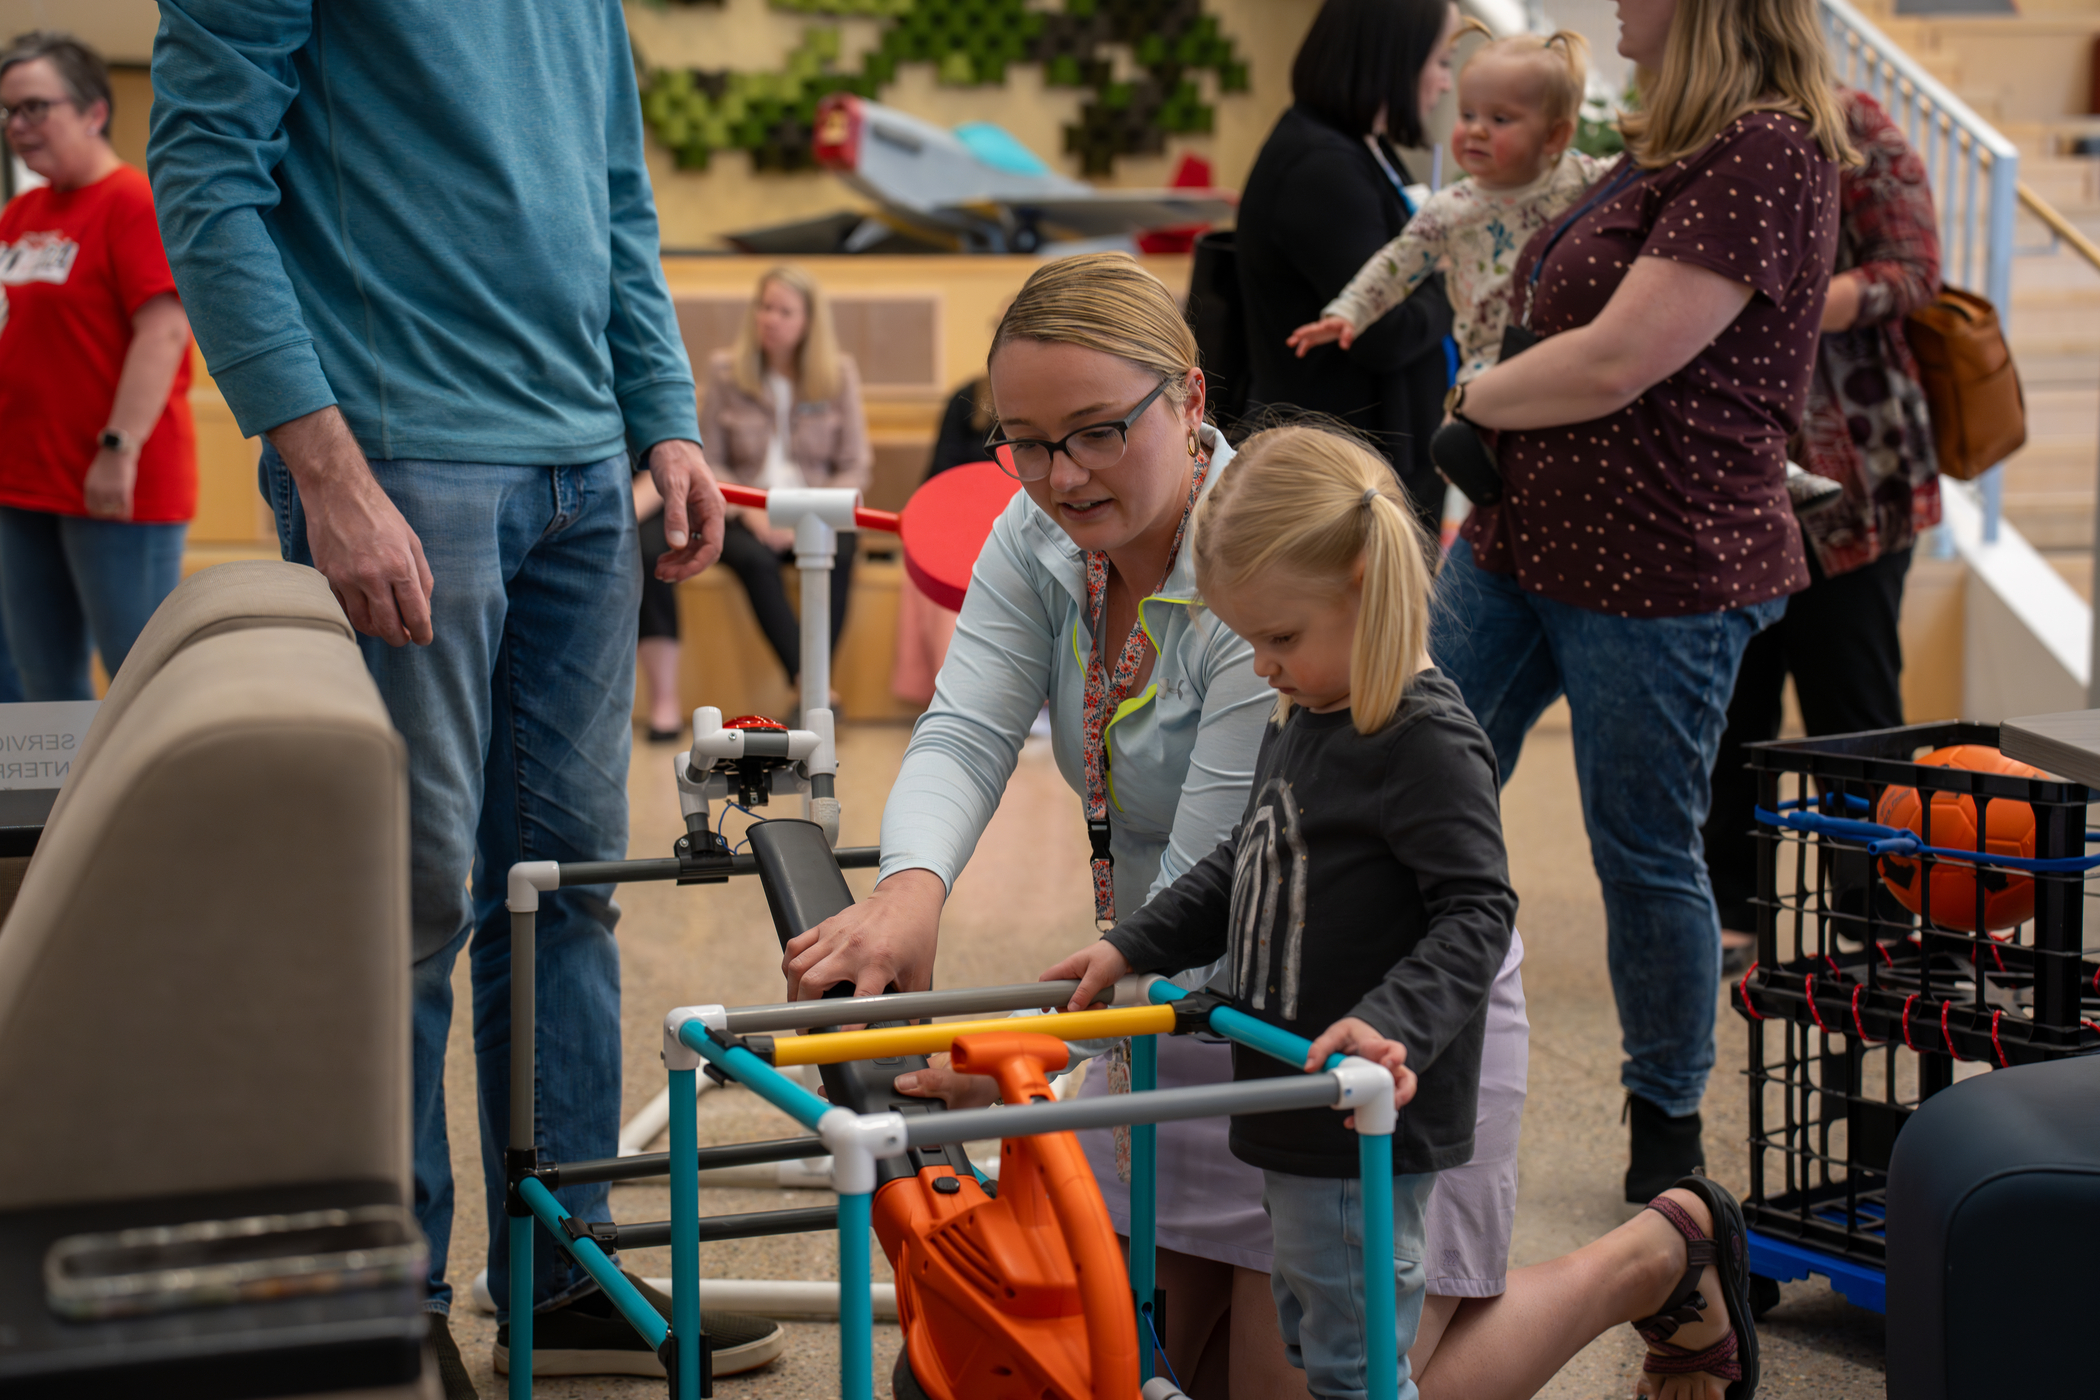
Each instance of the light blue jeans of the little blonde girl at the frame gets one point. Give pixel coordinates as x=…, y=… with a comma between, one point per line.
x=1318, y=1275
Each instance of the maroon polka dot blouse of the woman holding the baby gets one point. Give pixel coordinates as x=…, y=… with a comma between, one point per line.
x=1677, y=503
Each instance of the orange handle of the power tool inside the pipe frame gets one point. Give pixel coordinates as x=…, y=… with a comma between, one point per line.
x=1017, y=1063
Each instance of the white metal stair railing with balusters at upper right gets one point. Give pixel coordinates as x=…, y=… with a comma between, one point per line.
x=1960, y=152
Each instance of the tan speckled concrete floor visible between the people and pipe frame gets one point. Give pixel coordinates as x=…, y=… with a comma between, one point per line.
x=1022, y=906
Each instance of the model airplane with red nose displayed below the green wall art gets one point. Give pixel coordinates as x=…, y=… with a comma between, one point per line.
x=967, y=190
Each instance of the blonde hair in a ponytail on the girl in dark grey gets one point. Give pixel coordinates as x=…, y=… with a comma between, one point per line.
x=1309, y=505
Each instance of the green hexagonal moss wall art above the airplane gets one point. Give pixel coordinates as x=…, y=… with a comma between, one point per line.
x=971, y=43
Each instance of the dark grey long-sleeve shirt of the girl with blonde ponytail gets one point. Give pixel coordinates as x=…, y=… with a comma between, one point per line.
x=1366, y=878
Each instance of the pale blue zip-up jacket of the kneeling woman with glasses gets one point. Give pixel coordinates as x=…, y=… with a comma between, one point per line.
x=1181, y=755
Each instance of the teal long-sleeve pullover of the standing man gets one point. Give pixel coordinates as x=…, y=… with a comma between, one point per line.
x=432, y=215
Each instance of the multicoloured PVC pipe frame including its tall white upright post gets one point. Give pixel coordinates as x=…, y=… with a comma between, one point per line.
x=755, y=763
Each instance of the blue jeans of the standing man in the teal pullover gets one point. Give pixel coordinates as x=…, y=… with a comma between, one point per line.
x=518, y=725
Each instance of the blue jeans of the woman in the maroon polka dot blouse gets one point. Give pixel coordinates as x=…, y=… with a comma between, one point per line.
x=1650, y=700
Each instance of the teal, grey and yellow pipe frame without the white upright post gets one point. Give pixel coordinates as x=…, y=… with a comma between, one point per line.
x=715, y=1036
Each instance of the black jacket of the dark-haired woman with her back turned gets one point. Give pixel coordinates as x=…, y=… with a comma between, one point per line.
x=1316, y=209
